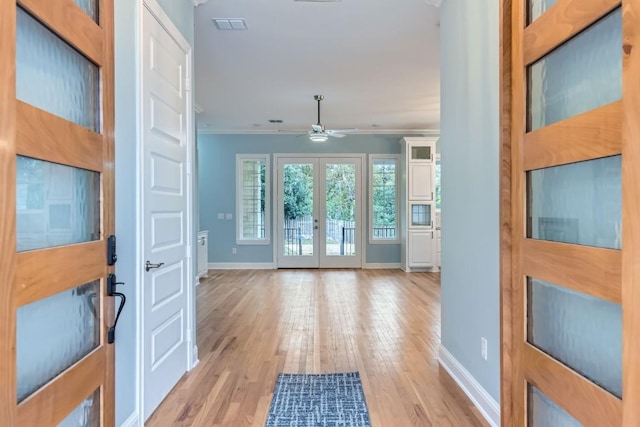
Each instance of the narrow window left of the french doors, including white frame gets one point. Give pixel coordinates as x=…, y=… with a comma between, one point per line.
x=252, y=194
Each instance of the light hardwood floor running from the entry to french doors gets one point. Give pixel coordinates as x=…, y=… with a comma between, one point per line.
x=254, y=324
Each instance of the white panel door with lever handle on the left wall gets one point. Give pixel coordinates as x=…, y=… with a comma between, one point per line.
x=165, y=240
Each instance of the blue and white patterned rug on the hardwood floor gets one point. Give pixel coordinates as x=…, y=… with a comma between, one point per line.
x=326, y=400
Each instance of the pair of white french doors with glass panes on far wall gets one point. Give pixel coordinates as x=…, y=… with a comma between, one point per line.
x=319, y=212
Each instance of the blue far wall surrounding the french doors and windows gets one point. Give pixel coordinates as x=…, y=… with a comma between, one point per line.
x=217, y=163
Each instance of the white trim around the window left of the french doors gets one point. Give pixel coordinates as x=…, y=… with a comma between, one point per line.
x=266, y=158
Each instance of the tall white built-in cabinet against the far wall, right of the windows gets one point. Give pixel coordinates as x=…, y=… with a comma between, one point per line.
x=417, y=204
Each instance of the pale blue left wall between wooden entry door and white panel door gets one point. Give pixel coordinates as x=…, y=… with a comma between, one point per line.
x=127, y=146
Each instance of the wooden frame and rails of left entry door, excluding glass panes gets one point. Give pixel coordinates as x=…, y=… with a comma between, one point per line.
x=55, y=140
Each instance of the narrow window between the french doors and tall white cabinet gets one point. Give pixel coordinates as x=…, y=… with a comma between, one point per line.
x=383, y=198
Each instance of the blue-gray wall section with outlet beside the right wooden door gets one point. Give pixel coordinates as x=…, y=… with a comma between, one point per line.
x=470, y=186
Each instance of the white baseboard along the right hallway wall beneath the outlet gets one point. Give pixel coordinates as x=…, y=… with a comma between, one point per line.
x=488, y=407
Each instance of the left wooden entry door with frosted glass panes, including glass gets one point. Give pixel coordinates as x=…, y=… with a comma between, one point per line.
x=56, y=210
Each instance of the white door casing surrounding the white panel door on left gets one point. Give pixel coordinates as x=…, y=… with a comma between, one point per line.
x=190, y=328
